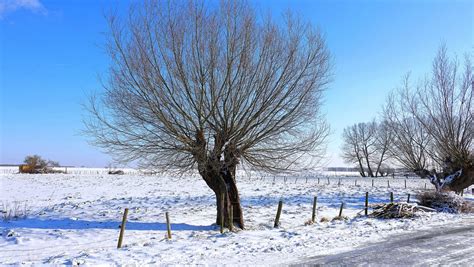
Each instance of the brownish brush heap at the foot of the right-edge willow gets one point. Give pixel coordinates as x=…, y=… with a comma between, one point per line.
x=445, y=202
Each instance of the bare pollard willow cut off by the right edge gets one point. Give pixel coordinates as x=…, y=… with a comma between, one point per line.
x=433, y=124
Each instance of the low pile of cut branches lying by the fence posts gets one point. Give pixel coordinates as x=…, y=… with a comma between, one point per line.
x=397, y=210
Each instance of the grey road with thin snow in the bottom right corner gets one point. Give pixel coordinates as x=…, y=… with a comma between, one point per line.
x=440, y=246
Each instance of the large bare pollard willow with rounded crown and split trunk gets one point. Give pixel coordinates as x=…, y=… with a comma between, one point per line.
x=199, y=86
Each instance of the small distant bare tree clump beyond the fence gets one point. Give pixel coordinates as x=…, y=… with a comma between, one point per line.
x=366, y=144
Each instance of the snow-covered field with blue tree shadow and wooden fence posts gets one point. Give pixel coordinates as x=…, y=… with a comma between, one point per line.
x=74, y=219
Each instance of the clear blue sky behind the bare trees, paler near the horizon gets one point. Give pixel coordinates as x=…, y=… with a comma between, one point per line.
x=51, y=57
